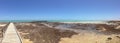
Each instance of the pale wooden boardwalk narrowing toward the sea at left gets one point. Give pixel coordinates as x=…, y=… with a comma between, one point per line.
x=11, y=35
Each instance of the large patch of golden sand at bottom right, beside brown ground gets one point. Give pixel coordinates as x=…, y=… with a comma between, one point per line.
x=91, y=38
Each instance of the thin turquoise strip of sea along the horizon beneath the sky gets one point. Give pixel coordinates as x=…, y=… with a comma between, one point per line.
x=51, y=20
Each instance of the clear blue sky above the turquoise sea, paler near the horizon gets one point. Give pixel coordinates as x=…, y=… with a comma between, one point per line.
x=59, y=9
